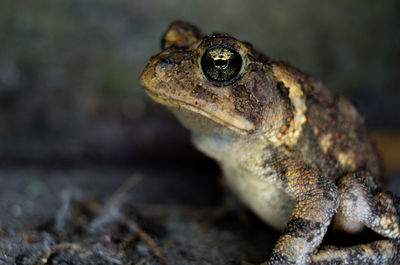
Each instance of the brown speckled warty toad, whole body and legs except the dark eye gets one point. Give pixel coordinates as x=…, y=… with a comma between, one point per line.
x=296, y=154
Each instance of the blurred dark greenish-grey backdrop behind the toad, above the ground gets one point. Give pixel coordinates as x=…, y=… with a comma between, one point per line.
x=69, y=69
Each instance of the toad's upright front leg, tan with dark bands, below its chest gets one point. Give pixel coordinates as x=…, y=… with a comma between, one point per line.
x=316, y=202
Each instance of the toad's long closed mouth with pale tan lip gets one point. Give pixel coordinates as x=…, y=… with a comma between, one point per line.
x=237, y=124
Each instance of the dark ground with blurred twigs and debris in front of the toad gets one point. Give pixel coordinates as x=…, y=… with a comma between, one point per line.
x=126, y=215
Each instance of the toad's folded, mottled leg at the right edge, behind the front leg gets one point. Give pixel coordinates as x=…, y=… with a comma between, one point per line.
x=362, y=203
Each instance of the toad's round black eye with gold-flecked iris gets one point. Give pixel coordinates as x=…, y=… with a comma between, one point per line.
x=221, y=63
